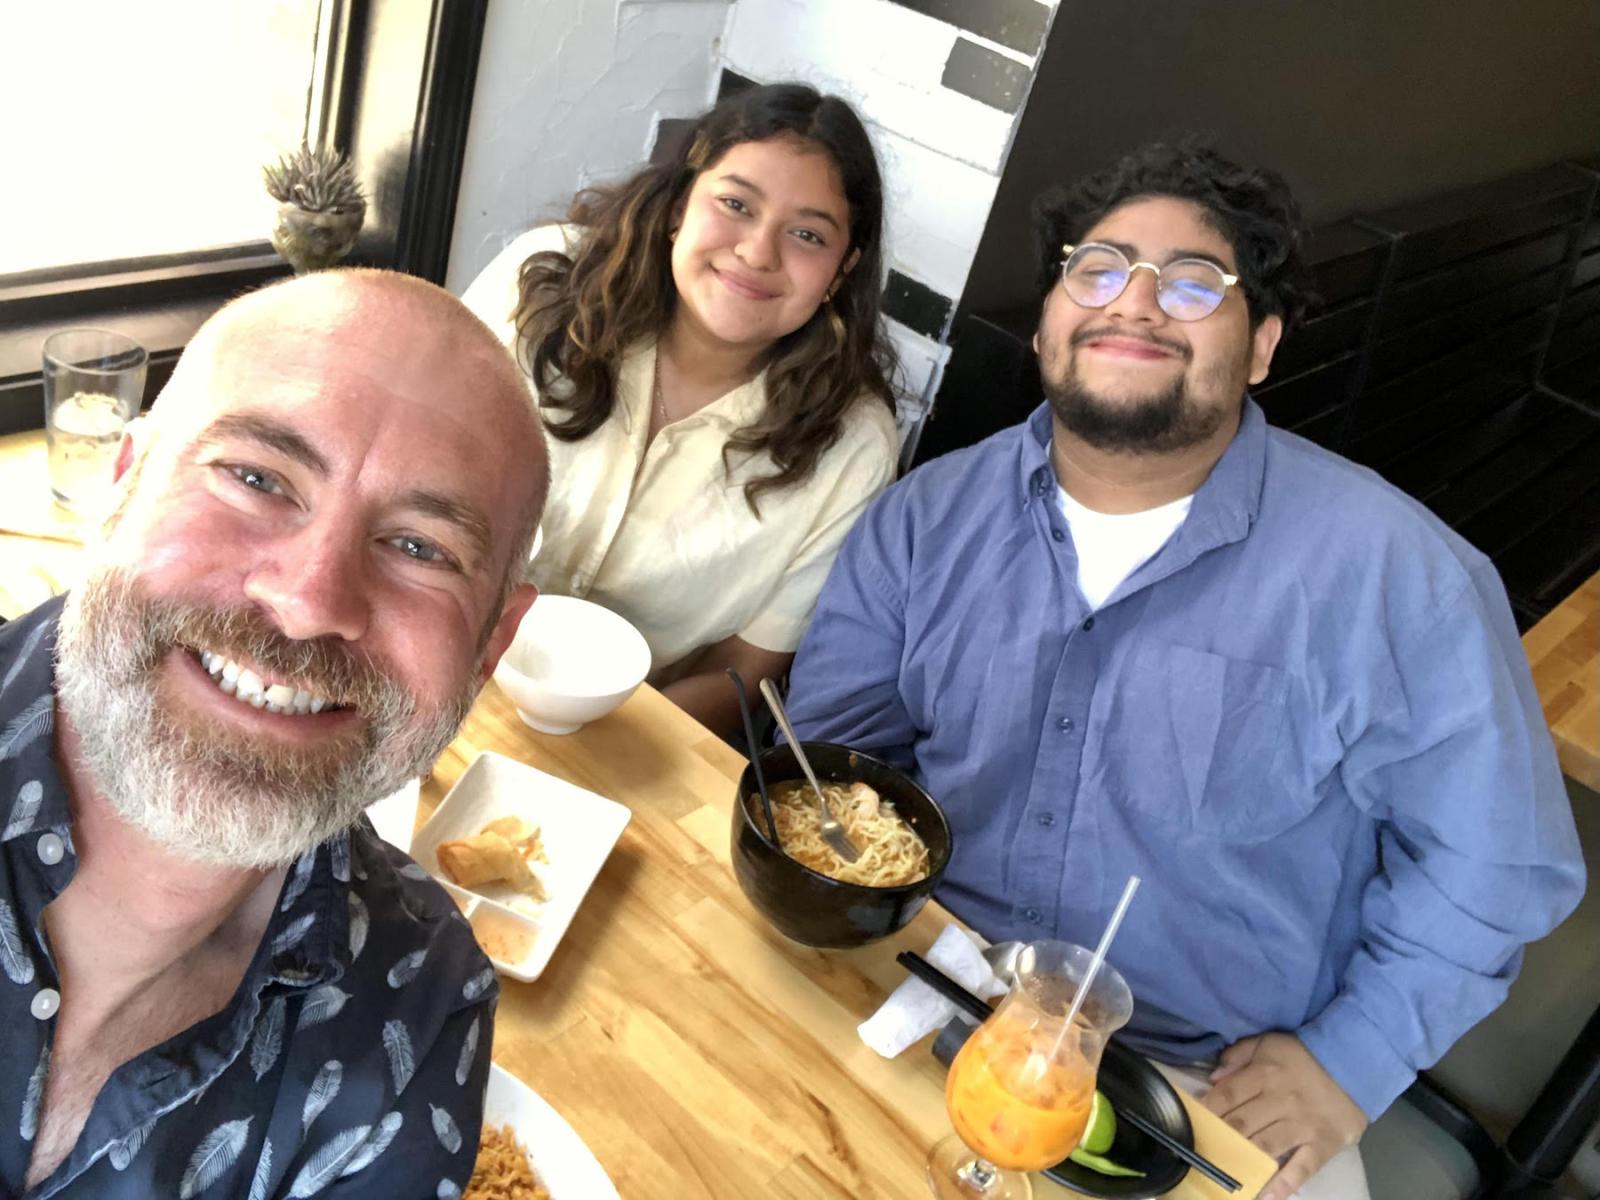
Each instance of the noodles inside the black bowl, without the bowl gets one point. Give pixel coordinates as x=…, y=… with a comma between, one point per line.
x=890, y=850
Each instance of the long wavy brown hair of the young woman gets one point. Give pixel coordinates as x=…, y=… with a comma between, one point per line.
x=578, y=316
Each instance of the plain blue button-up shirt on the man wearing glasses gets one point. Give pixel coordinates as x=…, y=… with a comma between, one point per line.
x=1306, y=722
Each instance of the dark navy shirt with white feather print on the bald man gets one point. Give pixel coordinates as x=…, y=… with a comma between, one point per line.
x=351, y=1062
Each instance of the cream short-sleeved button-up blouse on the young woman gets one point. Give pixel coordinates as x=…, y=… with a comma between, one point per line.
x=662, y=532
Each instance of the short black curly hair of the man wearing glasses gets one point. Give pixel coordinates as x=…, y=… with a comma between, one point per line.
x=1250, y=207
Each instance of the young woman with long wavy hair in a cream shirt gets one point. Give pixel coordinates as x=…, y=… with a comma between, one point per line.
x=706, y=348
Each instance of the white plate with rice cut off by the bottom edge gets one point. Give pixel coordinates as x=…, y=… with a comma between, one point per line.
x=566, y=1169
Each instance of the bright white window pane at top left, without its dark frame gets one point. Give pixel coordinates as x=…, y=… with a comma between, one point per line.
x=145, y=127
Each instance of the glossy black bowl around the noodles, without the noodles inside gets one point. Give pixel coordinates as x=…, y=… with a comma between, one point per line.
x=809, y=906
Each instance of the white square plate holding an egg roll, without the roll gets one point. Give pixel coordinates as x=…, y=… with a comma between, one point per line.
x=578, y=831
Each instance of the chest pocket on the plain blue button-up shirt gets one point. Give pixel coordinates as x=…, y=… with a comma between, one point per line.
x=1198, y=743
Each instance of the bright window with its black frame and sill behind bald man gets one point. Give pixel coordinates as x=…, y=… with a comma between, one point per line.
x=193, y=98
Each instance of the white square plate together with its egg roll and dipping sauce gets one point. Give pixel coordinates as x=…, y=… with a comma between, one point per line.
x=518, y=850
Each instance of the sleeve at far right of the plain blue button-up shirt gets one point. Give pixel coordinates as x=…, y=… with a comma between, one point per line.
x=1478, y=842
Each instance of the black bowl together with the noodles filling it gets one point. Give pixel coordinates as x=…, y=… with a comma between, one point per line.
x=807, y=903
